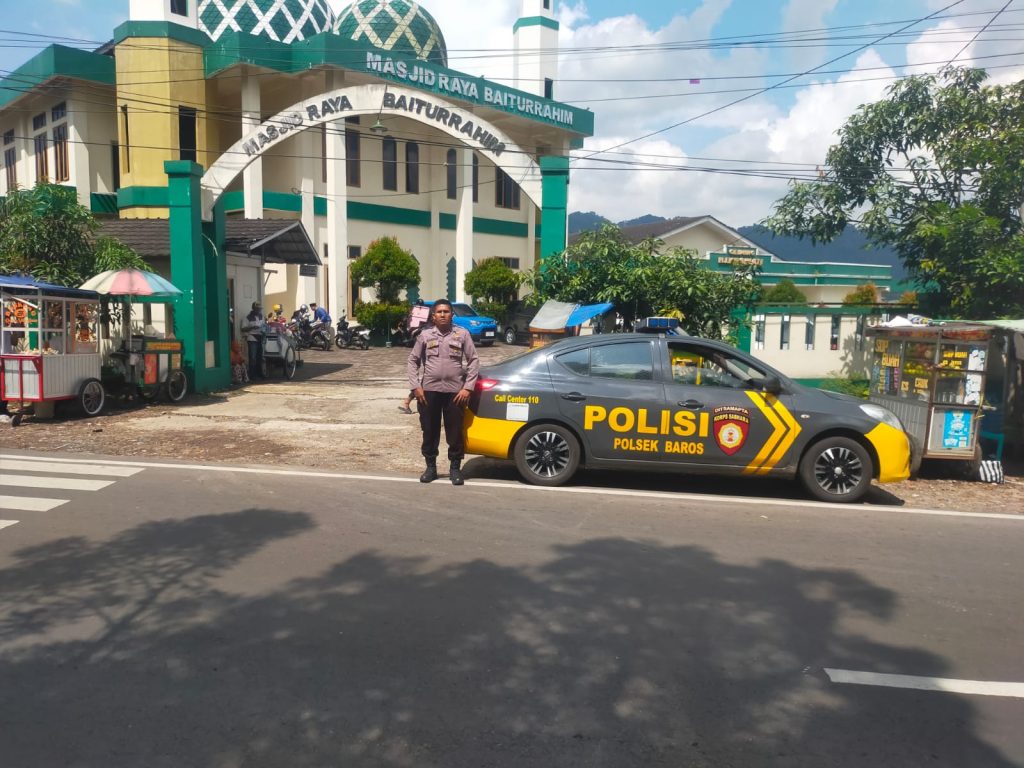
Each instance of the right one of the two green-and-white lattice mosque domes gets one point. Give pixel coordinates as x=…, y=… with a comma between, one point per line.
x=400, y=26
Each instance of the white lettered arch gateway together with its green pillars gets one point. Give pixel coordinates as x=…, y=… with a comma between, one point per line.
x=197, y=236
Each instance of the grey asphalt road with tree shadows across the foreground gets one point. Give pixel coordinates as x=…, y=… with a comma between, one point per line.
x=162, y=616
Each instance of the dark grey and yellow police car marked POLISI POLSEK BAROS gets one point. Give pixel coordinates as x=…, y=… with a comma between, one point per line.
x=660, y=402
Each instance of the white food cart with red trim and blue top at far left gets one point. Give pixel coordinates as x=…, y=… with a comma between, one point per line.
x=50, y=346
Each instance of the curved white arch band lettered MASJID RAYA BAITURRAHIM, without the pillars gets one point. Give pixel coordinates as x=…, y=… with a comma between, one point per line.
x=458, y=122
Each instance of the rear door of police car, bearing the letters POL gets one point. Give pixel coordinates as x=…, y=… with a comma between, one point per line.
x=613, y=396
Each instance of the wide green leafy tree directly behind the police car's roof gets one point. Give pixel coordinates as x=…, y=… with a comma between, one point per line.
x=641, y=281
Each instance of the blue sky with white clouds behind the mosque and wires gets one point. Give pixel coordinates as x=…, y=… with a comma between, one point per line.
x=701, y=107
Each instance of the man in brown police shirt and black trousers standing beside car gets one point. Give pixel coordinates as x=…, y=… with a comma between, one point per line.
x=443, y=387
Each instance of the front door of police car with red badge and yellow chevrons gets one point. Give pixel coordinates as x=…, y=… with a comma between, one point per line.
x=726, y=420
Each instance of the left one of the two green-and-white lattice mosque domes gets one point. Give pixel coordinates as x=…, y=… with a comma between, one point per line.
x=284, y=21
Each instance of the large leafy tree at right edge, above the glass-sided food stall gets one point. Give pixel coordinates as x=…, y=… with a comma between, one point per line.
x=936, y=170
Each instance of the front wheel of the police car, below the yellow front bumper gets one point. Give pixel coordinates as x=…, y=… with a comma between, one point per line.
x=837, y=470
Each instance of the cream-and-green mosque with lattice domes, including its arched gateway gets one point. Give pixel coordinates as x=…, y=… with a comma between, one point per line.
x=289, y=139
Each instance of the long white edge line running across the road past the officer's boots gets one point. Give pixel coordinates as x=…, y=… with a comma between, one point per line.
x=662, y=496
